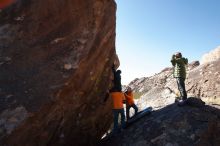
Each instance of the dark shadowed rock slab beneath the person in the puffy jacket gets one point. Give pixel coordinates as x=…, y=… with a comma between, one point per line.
x=195, y=124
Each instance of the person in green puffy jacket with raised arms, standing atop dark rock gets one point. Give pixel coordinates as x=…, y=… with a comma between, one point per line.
x=179, y=64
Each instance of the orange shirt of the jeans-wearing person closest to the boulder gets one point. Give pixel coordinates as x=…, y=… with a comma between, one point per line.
x=117, y=98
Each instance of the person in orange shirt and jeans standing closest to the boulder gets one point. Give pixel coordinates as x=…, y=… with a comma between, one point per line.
x=118, y=109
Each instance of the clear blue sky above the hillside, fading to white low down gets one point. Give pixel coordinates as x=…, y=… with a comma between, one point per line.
x=148, y=32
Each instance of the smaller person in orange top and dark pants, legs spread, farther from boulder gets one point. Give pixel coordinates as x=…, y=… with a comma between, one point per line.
x=130, y=102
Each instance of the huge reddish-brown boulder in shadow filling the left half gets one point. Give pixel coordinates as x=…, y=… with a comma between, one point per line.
x=55, y=61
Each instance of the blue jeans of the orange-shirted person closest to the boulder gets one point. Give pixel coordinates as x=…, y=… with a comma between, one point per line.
x=116, y=113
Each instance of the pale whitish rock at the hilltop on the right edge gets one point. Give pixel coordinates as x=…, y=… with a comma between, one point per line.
x=211, y=56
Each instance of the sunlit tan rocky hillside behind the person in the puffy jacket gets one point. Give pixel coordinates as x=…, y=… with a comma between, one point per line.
x=202, y=81
